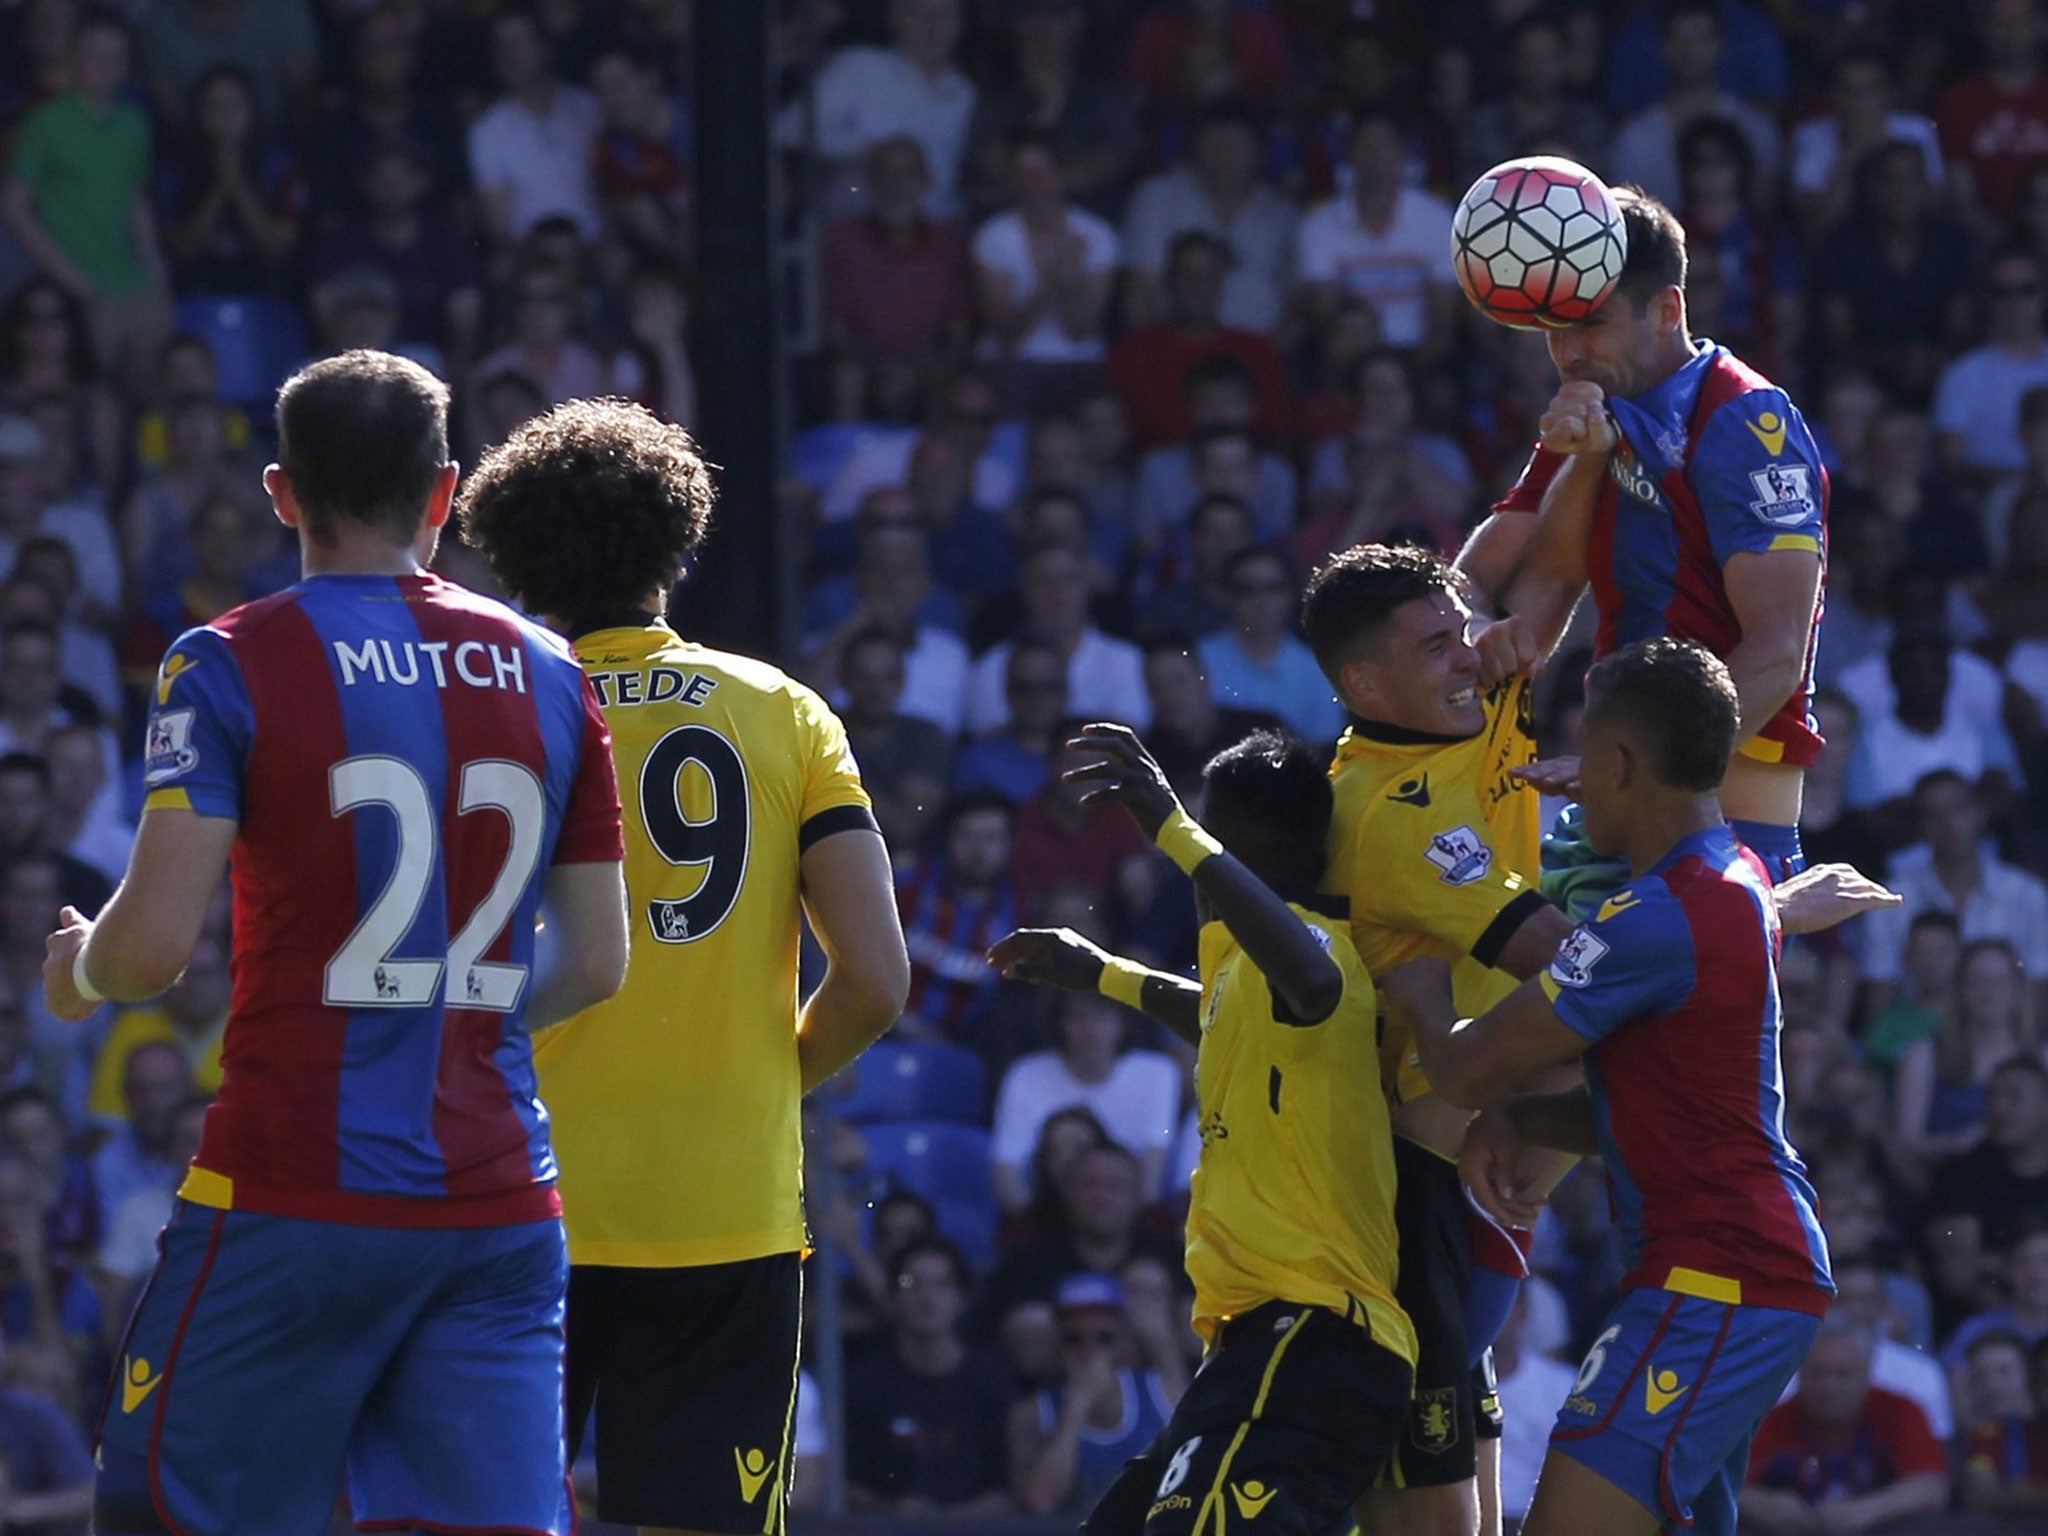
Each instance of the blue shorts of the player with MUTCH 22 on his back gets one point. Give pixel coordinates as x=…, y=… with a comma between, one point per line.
x=271, y=1361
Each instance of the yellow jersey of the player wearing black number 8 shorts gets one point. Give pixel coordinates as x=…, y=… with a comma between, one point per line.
x=1295, y=1191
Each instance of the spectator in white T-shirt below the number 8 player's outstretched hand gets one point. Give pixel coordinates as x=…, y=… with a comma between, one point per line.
x=1136, y=1095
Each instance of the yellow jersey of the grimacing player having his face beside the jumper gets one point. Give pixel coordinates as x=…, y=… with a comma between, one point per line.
x=1437, y=851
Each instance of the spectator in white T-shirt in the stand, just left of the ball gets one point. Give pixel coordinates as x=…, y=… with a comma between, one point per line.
x=1381, y=241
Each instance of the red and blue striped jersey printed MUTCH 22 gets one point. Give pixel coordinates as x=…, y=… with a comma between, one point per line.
x=404, y=761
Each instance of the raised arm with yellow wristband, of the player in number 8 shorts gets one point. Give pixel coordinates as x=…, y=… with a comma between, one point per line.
x=1281, y=945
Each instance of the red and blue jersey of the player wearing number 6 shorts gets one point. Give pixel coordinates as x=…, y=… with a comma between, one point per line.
x=1676, y=986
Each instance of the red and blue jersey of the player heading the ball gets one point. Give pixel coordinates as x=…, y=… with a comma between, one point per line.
x=1713, y=462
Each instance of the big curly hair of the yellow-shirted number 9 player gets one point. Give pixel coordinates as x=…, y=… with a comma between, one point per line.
x=591, y=509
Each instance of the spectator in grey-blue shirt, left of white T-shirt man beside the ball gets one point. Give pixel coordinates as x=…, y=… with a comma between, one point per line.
x=1224, y=194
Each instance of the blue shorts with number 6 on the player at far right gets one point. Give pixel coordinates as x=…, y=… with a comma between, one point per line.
x=1672, y=1394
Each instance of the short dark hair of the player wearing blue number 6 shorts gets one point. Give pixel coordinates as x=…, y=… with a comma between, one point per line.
x=1678, y=701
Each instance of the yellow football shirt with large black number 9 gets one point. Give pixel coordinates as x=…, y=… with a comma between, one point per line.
x=677, y=1103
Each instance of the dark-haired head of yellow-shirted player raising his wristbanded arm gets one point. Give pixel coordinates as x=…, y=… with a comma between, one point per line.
x=1269, y=802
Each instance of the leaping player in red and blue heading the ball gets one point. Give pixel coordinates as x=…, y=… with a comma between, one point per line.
x=1687, y=488
